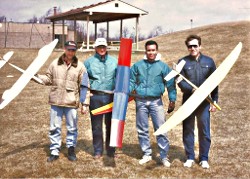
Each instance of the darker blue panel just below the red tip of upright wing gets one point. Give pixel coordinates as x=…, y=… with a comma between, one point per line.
x=123, y=75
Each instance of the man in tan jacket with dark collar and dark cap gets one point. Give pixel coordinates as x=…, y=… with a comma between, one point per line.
x=67, y=78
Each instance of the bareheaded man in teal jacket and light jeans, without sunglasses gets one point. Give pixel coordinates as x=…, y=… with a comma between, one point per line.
x=147, y=81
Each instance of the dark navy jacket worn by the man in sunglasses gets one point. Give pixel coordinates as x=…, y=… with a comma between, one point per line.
x=197, y=71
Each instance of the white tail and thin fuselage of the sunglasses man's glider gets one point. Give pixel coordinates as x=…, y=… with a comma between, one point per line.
x=176, y=71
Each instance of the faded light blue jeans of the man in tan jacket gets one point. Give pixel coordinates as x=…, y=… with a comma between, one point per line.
x=56, y=115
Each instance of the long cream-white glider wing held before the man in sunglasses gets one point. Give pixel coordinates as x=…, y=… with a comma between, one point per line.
x=202, y=92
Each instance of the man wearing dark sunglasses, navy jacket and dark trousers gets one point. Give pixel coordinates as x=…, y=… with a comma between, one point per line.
x=197, y=69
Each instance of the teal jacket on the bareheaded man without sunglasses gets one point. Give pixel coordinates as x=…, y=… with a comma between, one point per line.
x=147, y=79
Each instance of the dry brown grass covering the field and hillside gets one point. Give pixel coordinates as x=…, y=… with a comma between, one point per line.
x=25, y=121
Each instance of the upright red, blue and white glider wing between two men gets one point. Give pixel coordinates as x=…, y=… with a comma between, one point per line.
x=121, y=93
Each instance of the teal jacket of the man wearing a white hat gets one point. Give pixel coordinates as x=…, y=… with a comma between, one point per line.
x=101, y=73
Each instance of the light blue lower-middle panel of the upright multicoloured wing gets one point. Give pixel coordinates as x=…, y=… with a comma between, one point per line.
x=119, y=110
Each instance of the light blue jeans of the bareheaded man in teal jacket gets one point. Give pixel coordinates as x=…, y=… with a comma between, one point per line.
x=144, y=109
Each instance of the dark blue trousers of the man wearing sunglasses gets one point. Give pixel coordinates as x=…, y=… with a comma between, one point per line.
x=202, y=114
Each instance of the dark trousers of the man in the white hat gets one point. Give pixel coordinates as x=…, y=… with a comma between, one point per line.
x=96, y=101
